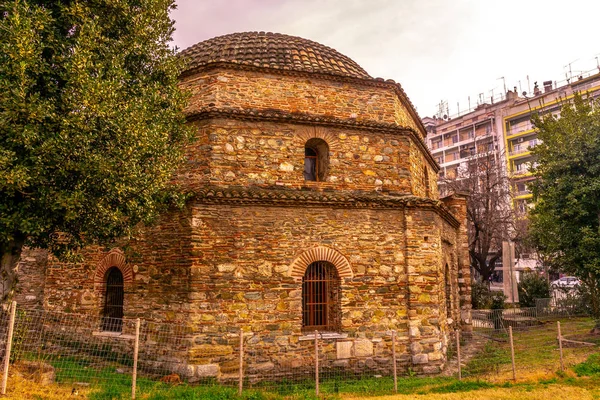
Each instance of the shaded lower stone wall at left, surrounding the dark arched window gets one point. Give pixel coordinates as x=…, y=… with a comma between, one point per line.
x=158, y=261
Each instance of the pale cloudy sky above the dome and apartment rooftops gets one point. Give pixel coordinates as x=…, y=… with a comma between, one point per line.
x=438, y=50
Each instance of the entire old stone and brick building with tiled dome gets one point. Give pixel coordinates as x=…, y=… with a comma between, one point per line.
x=315, y=207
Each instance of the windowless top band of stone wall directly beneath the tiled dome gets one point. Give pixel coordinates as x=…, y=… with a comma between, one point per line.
x=246, y=90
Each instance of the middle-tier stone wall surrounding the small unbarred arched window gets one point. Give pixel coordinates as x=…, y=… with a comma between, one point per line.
x=229, y=152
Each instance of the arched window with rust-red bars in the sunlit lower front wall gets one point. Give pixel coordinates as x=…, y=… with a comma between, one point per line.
x=321, y=297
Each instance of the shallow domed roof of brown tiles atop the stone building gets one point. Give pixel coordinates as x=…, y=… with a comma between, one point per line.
x=272, y=50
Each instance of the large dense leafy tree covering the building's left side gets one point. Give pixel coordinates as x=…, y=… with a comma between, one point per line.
x=91, y=122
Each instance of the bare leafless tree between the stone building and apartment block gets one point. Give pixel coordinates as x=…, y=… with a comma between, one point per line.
x=489, y=214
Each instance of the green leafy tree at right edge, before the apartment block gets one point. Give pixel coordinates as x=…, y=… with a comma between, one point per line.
x=565, y=221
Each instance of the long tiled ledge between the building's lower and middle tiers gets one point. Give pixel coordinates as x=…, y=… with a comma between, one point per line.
x=240, y=195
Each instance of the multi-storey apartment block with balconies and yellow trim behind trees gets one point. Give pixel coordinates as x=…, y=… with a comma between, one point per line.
x=504, y=129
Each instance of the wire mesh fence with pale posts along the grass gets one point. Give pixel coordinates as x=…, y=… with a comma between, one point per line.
x=77, y=350
